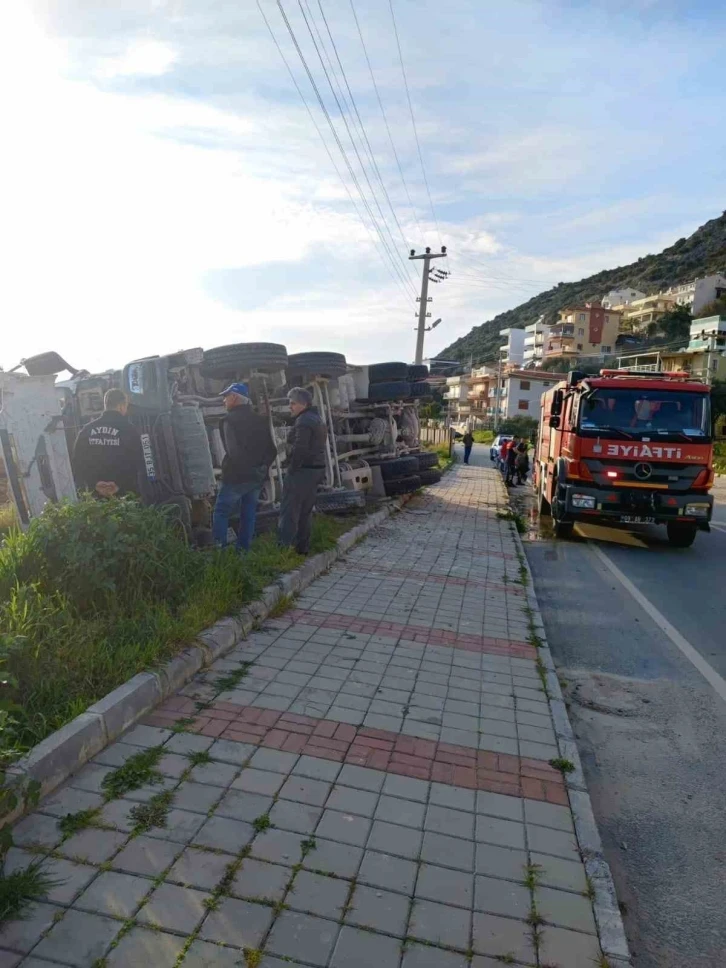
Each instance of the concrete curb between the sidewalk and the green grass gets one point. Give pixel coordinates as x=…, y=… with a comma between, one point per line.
x=62, y=753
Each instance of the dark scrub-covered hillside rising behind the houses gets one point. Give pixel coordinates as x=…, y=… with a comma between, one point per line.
x=702, y=254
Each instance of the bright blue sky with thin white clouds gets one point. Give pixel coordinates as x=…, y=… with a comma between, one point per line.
x=164, y=185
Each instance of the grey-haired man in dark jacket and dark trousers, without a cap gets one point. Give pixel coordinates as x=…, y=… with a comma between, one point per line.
x=305, y=471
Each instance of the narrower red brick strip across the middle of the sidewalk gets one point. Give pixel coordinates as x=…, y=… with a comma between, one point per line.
x=416, y=633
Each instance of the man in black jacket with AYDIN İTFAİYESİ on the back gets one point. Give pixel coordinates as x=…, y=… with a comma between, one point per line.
x=107, y=456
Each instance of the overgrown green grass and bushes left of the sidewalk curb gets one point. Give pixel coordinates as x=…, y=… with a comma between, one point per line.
x=94, y=593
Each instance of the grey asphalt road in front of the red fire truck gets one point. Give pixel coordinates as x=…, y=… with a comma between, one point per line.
x=651, y=729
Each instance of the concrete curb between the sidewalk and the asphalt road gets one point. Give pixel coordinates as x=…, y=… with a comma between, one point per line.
x=605, y=903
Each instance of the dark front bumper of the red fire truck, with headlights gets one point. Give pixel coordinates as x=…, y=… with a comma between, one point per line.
x=631, y=506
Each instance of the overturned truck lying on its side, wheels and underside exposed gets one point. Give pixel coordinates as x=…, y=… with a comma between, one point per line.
x=371, y=412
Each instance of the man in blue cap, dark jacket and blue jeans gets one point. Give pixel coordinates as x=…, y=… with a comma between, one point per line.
x=249, y=453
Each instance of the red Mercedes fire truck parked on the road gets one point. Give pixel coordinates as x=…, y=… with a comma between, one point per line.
x=626, y=447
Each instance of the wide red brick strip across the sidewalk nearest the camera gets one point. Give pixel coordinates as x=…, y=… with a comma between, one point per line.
x=377, y=749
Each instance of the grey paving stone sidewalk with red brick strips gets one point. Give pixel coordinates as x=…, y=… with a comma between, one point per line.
x=363, y=782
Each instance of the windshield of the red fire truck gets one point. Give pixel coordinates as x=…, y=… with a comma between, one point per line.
x=634, y=412
